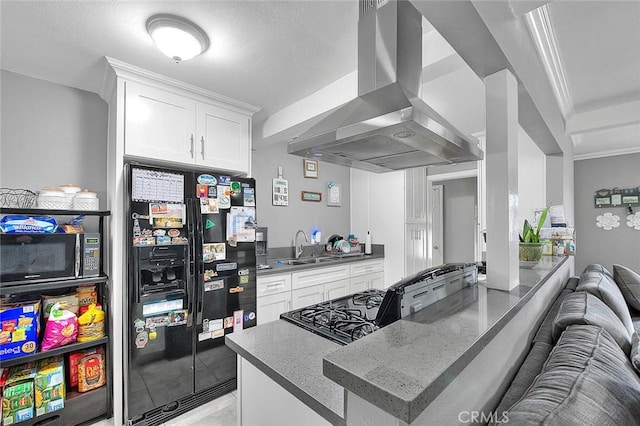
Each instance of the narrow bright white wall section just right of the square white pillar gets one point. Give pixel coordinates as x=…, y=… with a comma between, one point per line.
x=531, y=178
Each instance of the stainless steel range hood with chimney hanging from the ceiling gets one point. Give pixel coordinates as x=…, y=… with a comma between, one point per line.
x=388, y=126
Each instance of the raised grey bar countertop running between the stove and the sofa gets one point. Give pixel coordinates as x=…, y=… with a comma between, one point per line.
x=405, y=365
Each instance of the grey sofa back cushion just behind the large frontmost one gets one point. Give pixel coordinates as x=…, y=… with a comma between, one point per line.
x=584, y=308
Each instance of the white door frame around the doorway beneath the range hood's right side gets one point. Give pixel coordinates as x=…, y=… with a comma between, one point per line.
x=433, y=179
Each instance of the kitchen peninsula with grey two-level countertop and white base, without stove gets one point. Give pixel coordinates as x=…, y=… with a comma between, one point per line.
x=450, y=357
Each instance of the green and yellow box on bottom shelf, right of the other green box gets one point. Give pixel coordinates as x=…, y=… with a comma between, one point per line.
x=49, y=386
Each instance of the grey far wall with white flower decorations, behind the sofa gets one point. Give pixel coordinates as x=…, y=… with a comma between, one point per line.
x=594, y=245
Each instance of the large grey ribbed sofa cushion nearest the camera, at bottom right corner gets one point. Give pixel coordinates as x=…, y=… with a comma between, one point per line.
x=587, y=380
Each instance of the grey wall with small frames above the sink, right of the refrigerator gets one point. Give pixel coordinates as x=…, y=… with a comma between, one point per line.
x=283, y=222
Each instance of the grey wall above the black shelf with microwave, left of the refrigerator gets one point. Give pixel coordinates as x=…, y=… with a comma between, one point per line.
x=52, y=135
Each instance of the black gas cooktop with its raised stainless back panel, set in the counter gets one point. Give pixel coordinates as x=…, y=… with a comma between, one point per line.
x=346, y=319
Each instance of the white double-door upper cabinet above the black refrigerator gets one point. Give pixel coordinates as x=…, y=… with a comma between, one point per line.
x=171, y=122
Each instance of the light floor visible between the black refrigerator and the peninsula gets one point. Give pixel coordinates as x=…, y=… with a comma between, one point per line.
x=219, y=412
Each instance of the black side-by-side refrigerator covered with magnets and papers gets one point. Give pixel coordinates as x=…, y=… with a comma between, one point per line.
x=191, y=280
